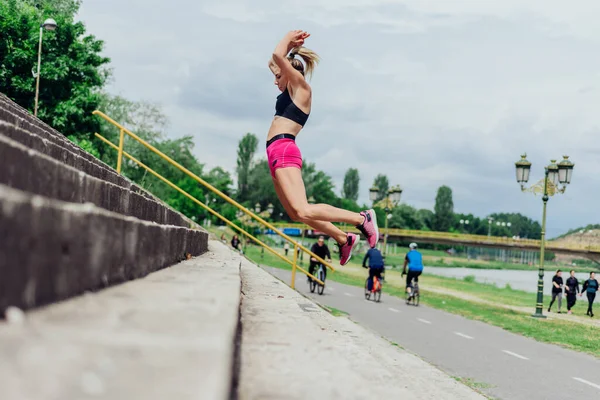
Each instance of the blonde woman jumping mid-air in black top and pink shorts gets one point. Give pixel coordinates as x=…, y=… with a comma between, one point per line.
x=285, y=160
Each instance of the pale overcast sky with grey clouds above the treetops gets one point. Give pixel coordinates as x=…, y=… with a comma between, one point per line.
x=428, y=92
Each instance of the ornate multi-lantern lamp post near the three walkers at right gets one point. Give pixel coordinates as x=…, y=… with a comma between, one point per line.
x=548, y=186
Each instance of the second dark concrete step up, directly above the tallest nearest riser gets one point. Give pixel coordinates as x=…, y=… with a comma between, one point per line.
x=25, y=169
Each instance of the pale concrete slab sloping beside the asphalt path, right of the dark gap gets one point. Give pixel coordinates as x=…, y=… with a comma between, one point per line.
x=293, y=349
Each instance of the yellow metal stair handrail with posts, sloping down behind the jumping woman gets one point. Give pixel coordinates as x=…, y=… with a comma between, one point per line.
x=123, y=130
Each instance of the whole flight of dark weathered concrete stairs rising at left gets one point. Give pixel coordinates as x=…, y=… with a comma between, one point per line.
x=69, y=223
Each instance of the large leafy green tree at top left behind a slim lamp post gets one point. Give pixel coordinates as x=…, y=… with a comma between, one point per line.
x=73, y=70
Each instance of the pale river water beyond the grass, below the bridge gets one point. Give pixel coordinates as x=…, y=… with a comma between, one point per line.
x=518, y=279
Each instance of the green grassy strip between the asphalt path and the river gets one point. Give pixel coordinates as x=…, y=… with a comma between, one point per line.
x=503, y=307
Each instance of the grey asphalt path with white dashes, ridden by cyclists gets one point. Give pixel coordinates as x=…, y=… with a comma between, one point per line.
x=502, y=364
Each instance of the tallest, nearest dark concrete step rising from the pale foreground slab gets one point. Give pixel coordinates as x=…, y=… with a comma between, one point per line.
x=51, y=250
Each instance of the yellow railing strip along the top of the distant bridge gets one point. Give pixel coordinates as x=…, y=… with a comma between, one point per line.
x=468, y=237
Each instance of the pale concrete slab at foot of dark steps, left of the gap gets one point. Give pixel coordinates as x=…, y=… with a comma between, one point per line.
x=169, y=335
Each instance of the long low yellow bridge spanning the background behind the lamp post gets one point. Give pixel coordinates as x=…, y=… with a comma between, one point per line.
x=450, y=238
